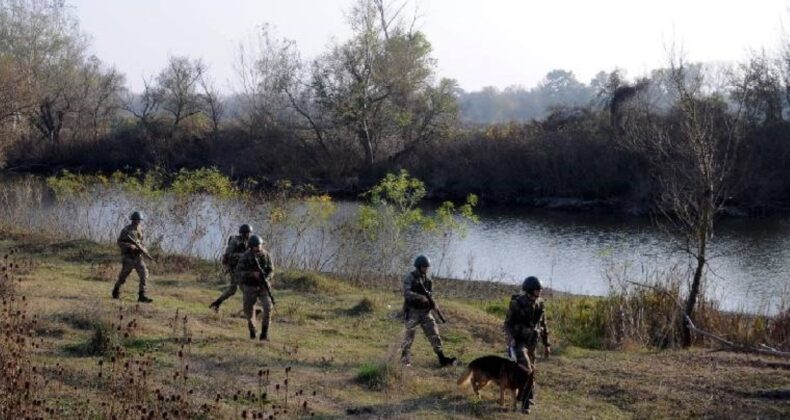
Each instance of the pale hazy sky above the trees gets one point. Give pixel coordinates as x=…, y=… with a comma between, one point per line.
x=478, y=42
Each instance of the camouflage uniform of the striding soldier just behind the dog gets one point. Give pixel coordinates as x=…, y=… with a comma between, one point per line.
x=417, y=312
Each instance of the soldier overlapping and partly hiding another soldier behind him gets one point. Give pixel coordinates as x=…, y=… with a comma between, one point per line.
x=253, y=272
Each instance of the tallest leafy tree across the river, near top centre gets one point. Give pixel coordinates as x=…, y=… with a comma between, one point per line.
x=377, y=87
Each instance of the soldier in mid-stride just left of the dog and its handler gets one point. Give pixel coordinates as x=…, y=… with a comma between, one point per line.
x=417, y=312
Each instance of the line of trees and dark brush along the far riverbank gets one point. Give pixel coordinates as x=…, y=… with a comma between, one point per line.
x=369, y=105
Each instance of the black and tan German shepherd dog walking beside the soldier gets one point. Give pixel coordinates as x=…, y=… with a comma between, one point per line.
x=506, y=373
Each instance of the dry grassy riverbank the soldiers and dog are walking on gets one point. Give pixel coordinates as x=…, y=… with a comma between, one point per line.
x=331, y=351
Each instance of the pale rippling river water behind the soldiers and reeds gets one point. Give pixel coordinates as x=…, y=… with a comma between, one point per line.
x=579, y=253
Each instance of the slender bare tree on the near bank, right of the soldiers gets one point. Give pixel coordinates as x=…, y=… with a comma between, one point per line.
x=692, y=150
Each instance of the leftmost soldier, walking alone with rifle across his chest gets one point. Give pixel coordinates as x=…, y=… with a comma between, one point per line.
x=131, y=243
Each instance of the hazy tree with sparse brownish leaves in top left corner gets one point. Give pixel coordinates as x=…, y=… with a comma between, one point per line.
x=70, y=91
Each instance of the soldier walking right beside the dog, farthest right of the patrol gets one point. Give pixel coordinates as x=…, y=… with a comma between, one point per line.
x=526, y=319
